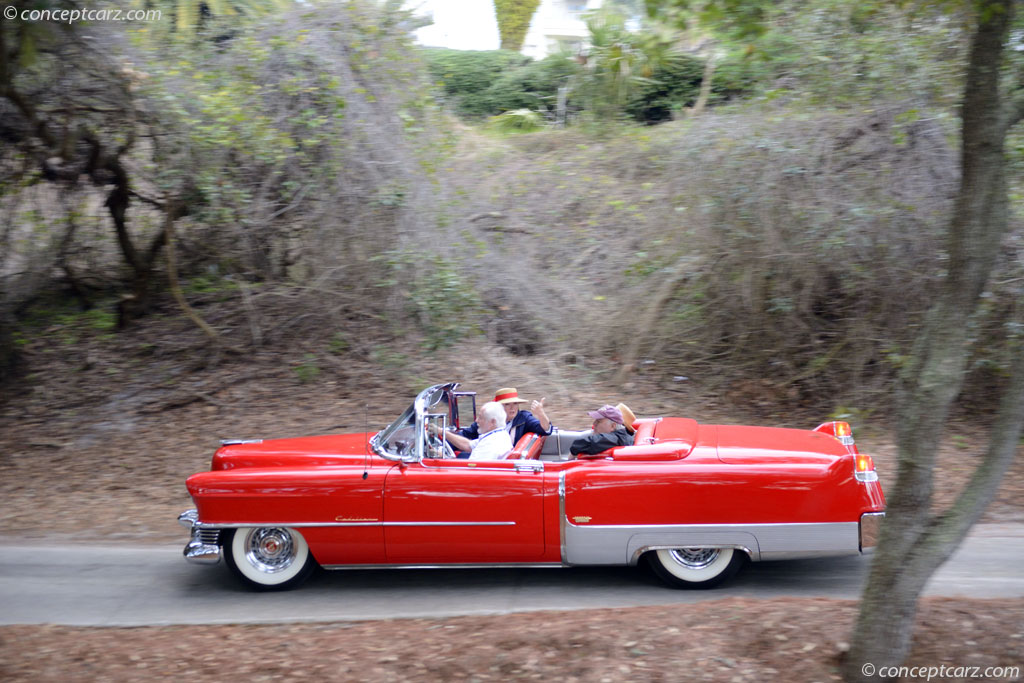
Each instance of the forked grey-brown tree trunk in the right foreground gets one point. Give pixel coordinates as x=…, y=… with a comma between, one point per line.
x=915, y=541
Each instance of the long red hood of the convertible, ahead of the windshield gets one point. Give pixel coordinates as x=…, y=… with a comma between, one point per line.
x=325, y=450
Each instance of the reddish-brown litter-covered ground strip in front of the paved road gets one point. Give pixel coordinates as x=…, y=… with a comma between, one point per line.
x=729, y=641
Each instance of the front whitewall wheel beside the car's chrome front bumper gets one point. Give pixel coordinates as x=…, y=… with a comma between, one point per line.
x=269, y=559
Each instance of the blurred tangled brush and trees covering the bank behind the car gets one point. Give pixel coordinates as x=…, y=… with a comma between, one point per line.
x=763, y=215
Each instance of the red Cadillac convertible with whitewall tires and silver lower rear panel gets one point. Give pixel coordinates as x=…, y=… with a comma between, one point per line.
x=694, y=501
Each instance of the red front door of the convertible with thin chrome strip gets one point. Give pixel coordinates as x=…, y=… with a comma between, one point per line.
x=460, y=511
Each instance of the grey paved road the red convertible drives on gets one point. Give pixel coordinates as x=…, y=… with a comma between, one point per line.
x=153, y=585
